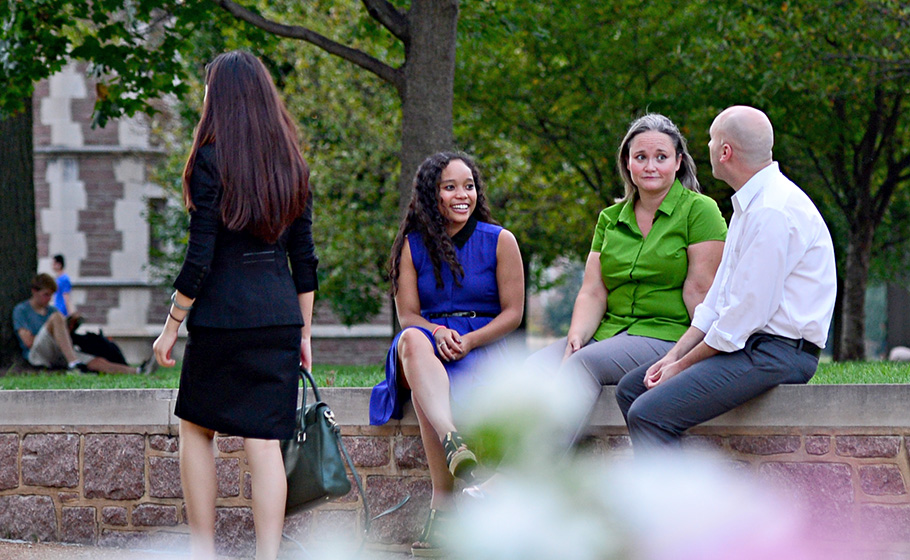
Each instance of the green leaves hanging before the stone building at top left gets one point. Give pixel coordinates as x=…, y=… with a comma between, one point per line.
x=134, y=47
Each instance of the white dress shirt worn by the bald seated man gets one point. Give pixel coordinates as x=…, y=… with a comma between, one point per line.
x=777, y=273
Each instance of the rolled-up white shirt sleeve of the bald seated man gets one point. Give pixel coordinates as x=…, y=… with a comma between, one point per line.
x=753, y=287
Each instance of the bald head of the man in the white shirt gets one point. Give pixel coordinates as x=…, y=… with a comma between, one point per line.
x=749, y=133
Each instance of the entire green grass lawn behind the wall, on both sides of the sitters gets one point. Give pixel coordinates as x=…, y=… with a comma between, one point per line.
x=367, y=376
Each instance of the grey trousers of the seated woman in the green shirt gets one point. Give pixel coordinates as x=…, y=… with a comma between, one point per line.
x=598, y=363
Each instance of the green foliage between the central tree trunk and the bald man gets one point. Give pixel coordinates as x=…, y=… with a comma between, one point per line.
x=546, y=91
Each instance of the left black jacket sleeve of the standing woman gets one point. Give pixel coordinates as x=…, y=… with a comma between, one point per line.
x=205, y=190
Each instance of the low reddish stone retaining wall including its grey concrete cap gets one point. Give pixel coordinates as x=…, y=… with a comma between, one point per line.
x=102, y=467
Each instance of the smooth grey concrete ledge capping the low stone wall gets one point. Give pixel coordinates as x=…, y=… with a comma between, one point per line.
x=820, y=406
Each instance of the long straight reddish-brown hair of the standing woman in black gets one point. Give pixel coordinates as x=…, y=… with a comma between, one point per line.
x=264, y=178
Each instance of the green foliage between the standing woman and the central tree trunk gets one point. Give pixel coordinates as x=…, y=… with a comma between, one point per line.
x=349, y=121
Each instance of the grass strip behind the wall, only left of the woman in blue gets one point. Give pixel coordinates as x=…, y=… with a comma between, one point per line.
x=326, y=376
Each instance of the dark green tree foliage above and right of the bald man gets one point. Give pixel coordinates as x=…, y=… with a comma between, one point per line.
x=832, y=77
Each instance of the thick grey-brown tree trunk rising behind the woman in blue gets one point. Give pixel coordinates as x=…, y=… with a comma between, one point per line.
x=428, y=96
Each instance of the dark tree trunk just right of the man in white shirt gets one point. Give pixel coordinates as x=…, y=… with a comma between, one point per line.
x=856, y=276
